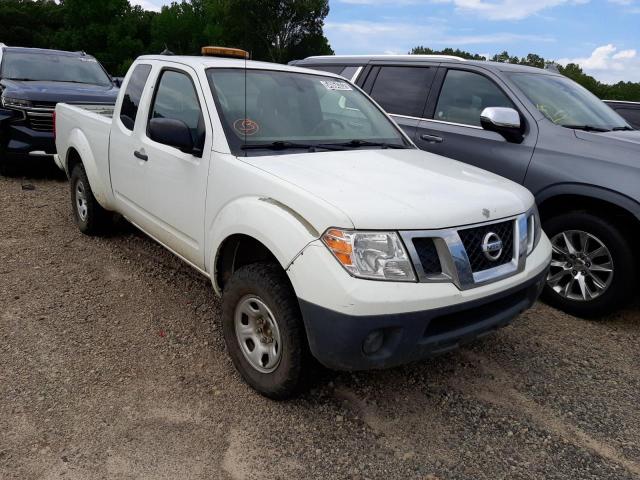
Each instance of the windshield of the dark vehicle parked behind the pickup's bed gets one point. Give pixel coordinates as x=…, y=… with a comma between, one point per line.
x=36, y=66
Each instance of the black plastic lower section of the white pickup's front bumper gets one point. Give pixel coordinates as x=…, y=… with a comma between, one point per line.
x=336, y=339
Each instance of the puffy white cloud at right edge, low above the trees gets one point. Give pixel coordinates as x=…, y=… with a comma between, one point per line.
x=609, y=65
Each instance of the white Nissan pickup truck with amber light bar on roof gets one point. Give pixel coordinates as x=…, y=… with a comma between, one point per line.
x=327, y=233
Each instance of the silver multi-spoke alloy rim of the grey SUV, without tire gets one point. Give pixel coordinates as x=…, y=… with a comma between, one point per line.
x=581, y=266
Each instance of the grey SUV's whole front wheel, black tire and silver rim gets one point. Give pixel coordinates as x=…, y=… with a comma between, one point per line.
x=593, y=268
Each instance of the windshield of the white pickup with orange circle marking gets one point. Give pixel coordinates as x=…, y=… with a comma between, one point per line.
x=265, y=110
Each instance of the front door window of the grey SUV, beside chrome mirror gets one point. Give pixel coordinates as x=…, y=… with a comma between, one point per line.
x=464, y=95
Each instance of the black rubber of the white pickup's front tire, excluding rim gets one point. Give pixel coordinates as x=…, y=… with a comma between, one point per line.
x=269, y=283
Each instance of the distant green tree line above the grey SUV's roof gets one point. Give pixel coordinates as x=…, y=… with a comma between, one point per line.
x=619, y=91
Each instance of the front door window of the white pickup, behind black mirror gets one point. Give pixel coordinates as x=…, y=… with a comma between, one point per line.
x=176, y=99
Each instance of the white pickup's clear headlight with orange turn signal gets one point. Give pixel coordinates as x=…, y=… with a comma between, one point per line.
x=372, y=255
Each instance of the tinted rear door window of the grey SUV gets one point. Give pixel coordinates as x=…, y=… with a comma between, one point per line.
x=403, y=90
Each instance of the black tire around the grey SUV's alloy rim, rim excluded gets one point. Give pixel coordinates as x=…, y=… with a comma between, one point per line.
x=623, y=280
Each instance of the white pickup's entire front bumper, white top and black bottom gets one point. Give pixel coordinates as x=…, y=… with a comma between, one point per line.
x=418, y=320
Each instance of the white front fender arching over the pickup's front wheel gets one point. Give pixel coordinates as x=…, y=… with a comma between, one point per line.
x=277, y=226
